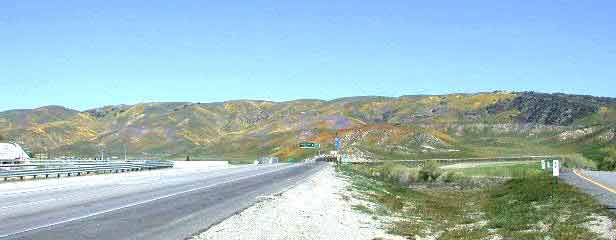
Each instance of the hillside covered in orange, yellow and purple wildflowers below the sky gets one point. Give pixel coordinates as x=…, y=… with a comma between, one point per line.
x=454, y=125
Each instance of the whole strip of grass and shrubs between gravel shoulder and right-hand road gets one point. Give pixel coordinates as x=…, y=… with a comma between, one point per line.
x=508, y=201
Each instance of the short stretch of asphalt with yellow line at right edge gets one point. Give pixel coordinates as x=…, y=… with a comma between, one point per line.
x=599, y=184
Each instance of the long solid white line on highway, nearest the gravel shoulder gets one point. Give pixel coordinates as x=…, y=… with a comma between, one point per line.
x=142, y=202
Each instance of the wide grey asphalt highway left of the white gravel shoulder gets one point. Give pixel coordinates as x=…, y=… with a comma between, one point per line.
x=161, y=204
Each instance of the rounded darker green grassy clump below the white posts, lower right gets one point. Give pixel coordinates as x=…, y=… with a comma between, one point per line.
x=521, y=206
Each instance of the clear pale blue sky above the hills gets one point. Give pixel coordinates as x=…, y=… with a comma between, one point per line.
x=84, y=54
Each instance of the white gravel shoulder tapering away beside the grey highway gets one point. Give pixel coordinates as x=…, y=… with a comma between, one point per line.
x=313, y=209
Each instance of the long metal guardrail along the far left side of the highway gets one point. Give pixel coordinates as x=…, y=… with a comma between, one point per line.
x=60, y=168
